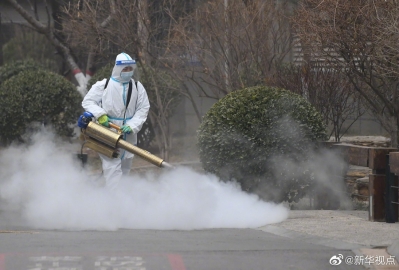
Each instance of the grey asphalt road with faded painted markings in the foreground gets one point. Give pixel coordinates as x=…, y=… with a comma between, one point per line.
x=230, y=249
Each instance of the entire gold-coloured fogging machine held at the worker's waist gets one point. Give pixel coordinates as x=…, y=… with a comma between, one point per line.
x=106, y=141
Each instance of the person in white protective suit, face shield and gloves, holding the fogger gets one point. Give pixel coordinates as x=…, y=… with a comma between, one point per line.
x=108, y=104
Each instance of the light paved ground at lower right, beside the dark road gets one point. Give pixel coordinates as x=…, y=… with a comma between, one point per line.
x=344, y=229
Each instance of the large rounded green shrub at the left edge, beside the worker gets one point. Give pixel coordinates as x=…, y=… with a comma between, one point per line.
x=37, y=96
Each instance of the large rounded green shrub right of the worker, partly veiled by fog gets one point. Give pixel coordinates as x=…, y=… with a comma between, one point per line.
x=256, y=136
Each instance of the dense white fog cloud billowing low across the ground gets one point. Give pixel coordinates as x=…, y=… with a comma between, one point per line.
x=46, y=188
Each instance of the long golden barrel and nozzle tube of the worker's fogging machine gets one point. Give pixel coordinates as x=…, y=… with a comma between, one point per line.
x=114, y=140
